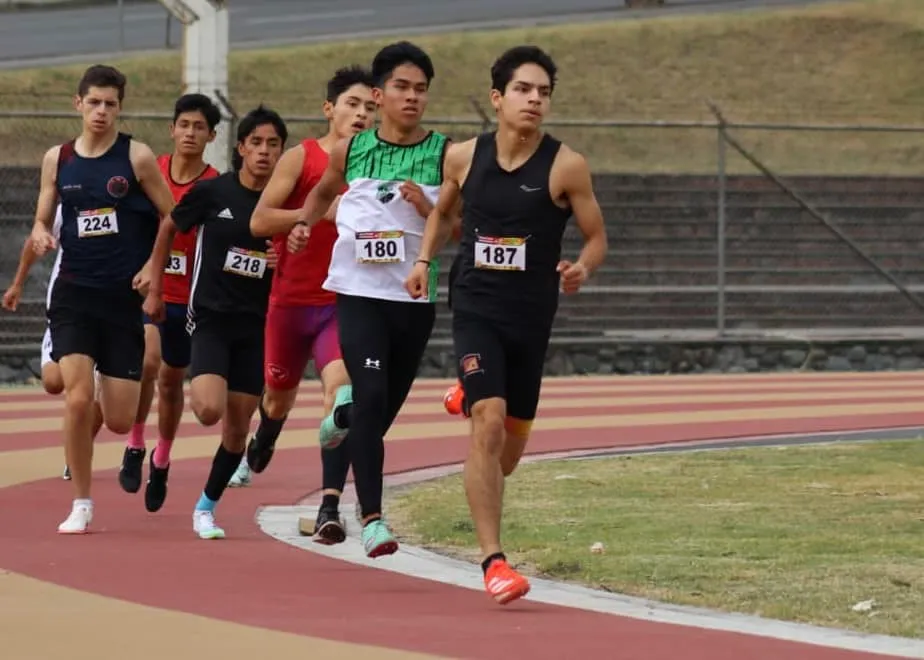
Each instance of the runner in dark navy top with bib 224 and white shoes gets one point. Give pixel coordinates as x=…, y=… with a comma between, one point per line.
x=111, y=194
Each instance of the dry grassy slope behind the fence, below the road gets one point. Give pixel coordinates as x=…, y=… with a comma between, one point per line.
x=823, y=63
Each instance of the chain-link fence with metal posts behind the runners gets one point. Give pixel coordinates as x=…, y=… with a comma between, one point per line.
x=701, y=237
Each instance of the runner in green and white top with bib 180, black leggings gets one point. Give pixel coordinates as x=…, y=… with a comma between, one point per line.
x=394, y=174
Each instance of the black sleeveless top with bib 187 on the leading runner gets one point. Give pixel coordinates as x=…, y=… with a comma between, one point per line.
x=512, y=230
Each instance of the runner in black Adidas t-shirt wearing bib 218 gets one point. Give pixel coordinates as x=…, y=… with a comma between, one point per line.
x=228, y=298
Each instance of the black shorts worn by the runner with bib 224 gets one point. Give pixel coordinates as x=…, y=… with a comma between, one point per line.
x=104, y=325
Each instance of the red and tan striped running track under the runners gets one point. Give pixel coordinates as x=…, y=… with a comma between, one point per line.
x=144, y=587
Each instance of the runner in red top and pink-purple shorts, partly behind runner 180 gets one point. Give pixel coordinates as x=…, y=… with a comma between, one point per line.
x=301, y=323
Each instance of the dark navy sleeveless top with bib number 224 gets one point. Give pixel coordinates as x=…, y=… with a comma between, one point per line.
x=109, y=224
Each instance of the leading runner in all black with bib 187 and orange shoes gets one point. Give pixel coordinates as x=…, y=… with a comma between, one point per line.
x=518, y=186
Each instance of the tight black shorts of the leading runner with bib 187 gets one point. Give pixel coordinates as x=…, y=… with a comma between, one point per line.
x=498, y=360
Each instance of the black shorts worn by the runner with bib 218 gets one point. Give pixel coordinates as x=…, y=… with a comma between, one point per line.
x=228, y=345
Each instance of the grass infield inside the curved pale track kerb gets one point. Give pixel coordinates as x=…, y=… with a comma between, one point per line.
x=798, y=533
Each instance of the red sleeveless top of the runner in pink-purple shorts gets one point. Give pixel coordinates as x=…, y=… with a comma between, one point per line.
x=299, y=278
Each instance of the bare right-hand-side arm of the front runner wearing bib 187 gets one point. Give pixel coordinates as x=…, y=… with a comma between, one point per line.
x=579, y=191
